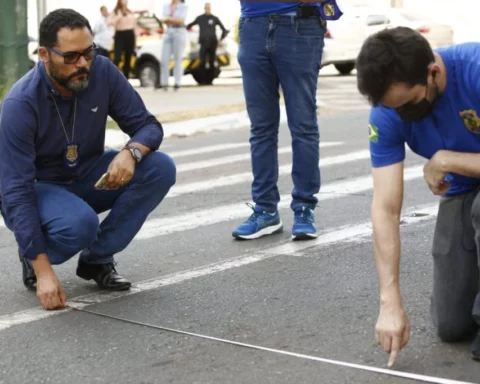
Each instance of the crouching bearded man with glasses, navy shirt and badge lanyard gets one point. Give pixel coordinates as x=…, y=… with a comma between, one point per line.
x=52, y=134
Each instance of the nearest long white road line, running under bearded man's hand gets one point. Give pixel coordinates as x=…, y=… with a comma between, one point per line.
x=334, y=236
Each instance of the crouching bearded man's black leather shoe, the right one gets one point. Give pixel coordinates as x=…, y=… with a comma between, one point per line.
x=105, y=275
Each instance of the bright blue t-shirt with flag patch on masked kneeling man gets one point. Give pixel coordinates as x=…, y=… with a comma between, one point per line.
x=454, y=124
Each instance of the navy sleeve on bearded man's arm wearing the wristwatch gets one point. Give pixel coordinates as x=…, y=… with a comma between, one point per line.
x=128, y=110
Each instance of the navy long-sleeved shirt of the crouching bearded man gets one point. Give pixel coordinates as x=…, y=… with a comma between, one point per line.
x=33, y=142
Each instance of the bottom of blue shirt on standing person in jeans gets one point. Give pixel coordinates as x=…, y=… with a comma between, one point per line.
x=329, y=9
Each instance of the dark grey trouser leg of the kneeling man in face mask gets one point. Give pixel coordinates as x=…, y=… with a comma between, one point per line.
x=455, y=302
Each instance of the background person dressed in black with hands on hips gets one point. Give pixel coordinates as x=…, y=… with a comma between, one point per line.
x=208, y=39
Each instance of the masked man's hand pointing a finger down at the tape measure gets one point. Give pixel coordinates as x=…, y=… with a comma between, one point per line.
x=392, y=331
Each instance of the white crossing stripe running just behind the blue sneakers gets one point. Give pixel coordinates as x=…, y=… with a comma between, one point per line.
x=179, y=223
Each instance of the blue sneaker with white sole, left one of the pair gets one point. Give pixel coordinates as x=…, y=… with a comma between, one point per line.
x=259, y=224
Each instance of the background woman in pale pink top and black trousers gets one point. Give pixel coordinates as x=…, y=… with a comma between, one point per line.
x=125, y=23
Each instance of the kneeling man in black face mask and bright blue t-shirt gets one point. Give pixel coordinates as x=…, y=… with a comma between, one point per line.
x=430, y=101
